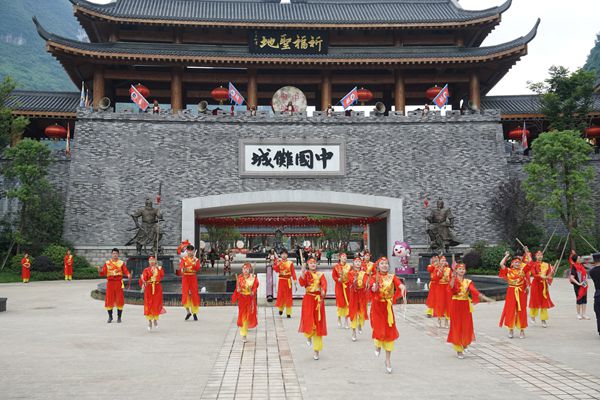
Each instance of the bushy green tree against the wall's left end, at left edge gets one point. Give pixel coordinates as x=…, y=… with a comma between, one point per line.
x=40, y=217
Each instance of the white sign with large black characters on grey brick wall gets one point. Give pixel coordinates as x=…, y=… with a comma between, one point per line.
x=291, y=158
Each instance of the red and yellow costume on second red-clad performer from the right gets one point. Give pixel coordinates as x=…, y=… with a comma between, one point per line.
x=514, y=313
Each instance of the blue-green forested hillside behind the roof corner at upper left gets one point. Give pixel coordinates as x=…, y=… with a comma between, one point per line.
x=22, y=52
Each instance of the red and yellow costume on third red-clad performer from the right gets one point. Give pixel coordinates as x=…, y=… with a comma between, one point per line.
x=461, y=332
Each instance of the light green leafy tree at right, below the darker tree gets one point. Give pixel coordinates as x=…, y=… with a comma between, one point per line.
x=559, y=178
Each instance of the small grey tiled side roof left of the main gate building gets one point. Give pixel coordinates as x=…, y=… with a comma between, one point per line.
x=63, y=102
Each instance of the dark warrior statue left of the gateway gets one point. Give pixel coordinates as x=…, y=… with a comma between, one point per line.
x=148, y=233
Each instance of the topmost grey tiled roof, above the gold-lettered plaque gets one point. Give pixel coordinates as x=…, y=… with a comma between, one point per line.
x=299, y=11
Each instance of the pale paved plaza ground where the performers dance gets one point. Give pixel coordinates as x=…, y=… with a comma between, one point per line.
x=55, y=344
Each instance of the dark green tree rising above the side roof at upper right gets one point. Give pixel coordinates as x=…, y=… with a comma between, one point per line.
x=566, y=98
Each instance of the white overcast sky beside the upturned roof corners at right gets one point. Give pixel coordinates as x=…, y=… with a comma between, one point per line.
x=565, y=36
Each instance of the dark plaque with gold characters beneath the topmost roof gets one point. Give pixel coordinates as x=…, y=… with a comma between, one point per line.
x=271, y=41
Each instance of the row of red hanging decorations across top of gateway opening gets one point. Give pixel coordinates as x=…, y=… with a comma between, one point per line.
x=287, y=221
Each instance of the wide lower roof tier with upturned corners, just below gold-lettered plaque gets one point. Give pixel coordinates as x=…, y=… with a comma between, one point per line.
x=193, y=52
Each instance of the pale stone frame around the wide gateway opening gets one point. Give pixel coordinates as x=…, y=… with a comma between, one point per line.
x=283, y=202
